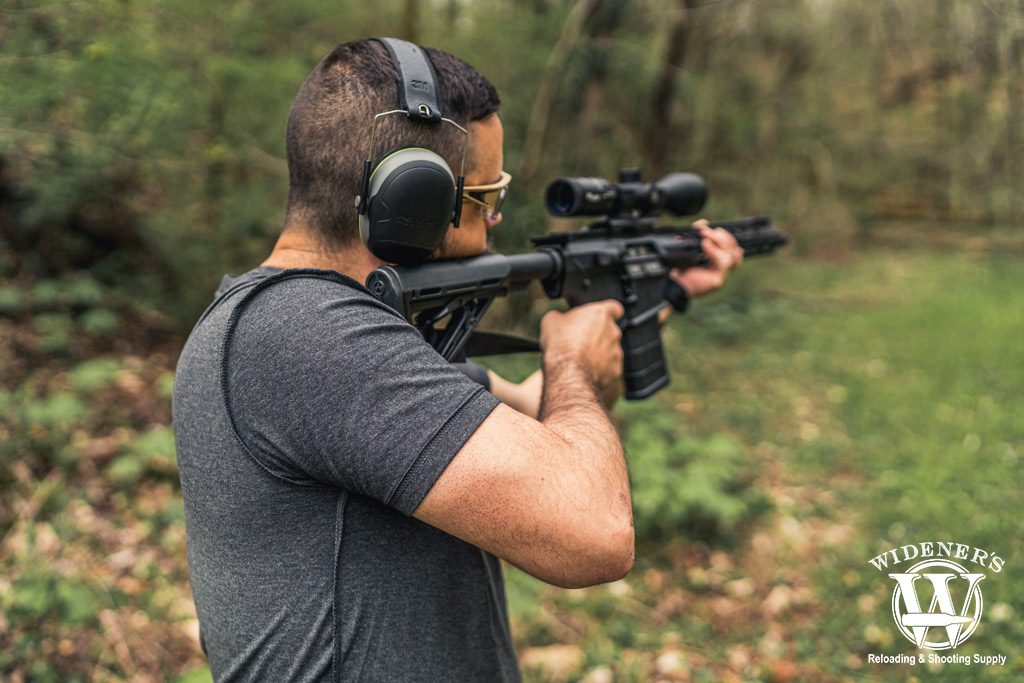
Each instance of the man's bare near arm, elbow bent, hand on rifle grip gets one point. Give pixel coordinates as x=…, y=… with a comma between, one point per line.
x=551, y=497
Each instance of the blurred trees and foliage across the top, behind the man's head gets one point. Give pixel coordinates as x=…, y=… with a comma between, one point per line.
x=143, y=142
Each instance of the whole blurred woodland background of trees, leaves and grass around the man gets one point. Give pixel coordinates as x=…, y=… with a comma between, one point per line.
x=859, y=393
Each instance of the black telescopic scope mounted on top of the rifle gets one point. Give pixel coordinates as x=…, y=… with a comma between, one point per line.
x=680, y=194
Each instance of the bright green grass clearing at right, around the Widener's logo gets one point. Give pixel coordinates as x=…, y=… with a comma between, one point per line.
x=915, y=389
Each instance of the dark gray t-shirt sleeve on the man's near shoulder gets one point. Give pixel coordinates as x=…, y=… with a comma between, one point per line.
x=327, y=387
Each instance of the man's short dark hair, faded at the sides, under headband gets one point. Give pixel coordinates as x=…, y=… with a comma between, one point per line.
x=329, y=127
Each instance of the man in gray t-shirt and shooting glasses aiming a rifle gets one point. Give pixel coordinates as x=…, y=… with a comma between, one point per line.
x=348, y=492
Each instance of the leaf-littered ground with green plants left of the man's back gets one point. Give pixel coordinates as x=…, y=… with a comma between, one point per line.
x=94, y=582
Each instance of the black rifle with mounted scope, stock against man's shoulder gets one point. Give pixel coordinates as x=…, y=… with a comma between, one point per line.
x=625, y=257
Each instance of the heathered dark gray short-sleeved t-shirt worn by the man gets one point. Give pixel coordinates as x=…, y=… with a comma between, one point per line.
x=311, y=421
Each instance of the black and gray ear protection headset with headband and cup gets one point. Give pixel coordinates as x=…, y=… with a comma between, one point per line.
x=410, y=197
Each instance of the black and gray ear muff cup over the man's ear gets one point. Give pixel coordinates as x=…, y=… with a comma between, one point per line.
x=411, y=204
